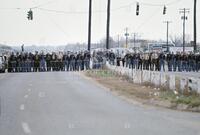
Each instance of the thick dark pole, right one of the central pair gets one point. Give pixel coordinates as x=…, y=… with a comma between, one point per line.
x=108, y=26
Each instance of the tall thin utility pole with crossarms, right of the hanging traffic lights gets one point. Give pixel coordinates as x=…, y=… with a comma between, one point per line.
x=184, y=18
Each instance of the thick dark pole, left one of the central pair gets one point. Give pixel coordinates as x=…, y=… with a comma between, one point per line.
x=89, y=25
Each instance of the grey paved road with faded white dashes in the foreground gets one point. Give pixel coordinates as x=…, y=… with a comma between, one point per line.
x=67, y=104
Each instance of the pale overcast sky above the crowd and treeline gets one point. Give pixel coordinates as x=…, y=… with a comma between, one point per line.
x=57, y=28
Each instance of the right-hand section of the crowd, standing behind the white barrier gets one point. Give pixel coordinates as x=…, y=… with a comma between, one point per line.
x=158, y=61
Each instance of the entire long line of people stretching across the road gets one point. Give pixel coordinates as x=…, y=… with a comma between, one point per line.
x=79, y=61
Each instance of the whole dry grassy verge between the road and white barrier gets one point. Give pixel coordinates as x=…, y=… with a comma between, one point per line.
x=122, y=85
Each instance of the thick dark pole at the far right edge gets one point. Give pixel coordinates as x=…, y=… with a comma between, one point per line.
x=195, y=25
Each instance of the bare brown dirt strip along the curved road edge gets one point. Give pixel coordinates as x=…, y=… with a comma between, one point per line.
x=144, y=94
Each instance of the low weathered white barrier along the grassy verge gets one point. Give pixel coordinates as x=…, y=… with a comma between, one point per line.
x=173, y=81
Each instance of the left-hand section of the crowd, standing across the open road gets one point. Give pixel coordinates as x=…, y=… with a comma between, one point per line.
x=41, y=62
